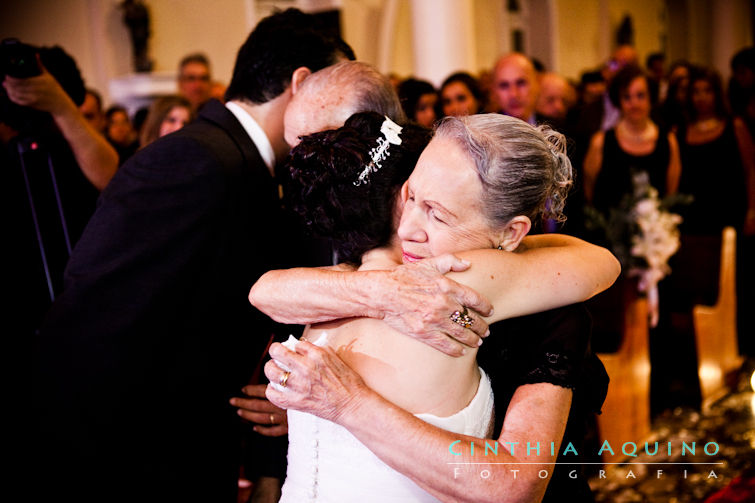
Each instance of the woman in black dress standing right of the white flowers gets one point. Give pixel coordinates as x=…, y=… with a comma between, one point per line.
x=709, y=139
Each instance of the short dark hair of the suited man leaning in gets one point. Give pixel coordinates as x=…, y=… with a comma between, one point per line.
x=277, y=46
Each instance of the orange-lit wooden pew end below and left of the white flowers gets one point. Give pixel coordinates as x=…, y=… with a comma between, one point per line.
x=626, y=410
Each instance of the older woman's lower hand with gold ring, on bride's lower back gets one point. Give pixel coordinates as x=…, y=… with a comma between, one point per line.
x=320, y=383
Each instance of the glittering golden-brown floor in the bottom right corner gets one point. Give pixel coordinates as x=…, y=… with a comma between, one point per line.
x=728, y=427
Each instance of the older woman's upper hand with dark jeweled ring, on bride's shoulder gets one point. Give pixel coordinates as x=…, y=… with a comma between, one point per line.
x=420, y=301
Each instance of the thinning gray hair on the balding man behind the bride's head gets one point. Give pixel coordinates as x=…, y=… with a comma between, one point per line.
x=356, y=87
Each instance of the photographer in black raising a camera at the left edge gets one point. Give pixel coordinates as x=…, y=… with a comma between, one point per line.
x=54, y=164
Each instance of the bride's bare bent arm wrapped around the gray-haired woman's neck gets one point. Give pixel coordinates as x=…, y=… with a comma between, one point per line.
x=552, y=270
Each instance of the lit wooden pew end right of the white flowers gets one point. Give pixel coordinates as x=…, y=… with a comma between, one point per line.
x=716, y=327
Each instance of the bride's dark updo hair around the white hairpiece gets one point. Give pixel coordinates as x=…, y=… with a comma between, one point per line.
x=324, y=168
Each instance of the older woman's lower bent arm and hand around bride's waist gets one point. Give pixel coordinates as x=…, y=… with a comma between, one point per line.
x=323, y=385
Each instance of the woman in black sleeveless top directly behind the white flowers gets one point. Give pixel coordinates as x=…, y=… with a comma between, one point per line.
x=635, y=144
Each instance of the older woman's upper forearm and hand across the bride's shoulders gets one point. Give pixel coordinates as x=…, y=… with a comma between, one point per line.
x=415, y=301
